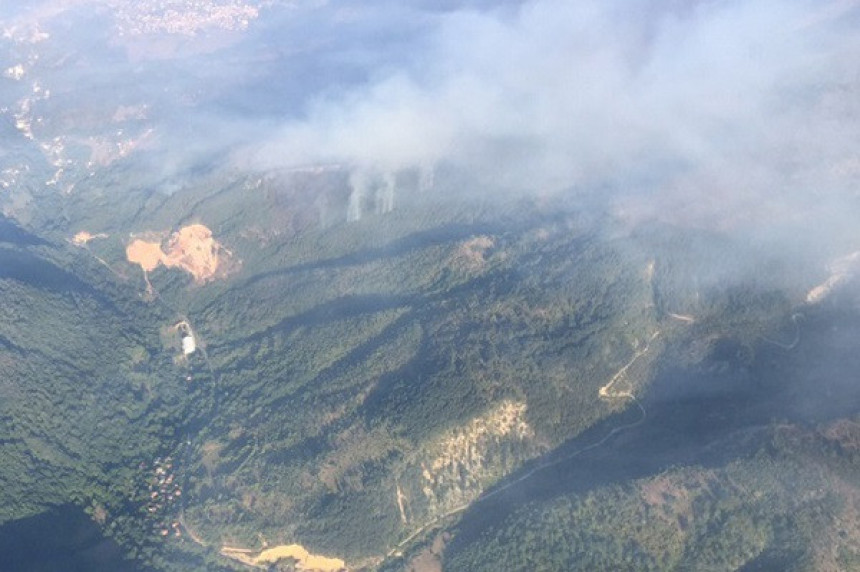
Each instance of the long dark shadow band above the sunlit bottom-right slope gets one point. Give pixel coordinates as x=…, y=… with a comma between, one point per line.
x=707, y=414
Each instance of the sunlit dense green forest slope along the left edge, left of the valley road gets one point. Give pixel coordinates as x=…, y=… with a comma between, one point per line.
x=90, y=394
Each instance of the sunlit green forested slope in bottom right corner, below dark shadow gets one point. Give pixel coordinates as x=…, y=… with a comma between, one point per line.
x=790, y=505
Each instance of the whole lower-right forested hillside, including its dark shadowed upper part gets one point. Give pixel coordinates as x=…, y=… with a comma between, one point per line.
x=741, y=464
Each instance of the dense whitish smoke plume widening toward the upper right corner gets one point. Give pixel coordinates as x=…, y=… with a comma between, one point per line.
x=722, y=106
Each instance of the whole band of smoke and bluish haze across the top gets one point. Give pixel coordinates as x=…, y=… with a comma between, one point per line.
x=719, y=113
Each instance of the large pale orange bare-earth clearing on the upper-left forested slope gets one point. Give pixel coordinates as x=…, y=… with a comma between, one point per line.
x=191, y=248
